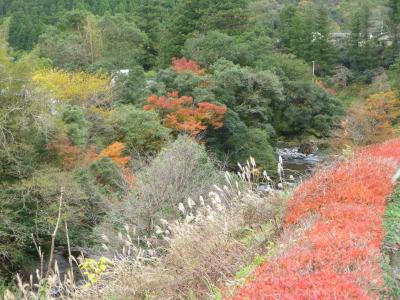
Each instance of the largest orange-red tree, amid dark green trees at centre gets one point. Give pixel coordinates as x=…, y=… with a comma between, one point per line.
x=183, y=115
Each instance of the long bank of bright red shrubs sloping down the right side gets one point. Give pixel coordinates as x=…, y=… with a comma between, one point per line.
x=331, y=247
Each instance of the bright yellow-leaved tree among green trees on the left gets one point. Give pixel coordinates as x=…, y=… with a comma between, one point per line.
x=76, y=87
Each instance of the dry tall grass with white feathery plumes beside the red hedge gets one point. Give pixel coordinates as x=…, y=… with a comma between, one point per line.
x=191, y=257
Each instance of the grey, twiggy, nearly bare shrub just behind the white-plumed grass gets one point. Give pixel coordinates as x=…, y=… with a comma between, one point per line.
x=178, y=172
